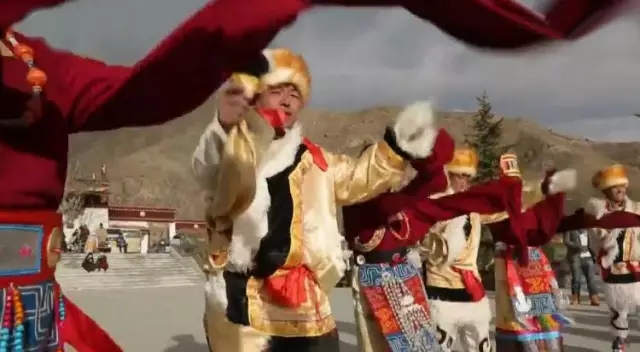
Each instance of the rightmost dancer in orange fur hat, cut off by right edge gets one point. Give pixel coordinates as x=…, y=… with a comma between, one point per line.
x=619, y=257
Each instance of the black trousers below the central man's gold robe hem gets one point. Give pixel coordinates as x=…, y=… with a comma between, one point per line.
x=324, y=343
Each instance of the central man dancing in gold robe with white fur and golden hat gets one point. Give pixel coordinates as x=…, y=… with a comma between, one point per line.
x=272, y=209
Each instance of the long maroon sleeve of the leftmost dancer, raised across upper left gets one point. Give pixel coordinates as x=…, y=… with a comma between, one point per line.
x=173, y=79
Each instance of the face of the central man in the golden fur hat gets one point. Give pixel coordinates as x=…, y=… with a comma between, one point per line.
x=284, y=97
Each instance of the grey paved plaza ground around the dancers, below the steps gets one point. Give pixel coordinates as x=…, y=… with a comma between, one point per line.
x=169, y=319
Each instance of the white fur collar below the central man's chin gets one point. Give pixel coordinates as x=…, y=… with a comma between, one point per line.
x=281, y=152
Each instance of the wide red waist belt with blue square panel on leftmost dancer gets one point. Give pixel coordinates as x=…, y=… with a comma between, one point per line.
x=30, y=243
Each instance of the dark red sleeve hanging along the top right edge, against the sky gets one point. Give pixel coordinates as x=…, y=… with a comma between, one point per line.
x=512, y=25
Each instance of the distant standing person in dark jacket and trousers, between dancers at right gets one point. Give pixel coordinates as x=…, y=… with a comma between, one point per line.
x=581, y=262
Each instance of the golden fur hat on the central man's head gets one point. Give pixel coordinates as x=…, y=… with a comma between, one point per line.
x=282, y=66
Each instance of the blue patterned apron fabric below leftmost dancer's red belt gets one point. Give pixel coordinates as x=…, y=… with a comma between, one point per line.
x=41, y=334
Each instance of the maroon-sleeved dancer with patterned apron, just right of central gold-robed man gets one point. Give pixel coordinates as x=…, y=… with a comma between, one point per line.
x=390, y=302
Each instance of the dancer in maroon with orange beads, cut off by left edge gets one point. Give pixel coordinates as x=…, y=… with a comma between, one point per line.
x=46, y=94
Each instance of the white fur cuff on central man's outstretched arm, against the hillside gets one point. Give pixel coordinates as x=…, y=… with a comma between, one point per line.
x=414, y=129
